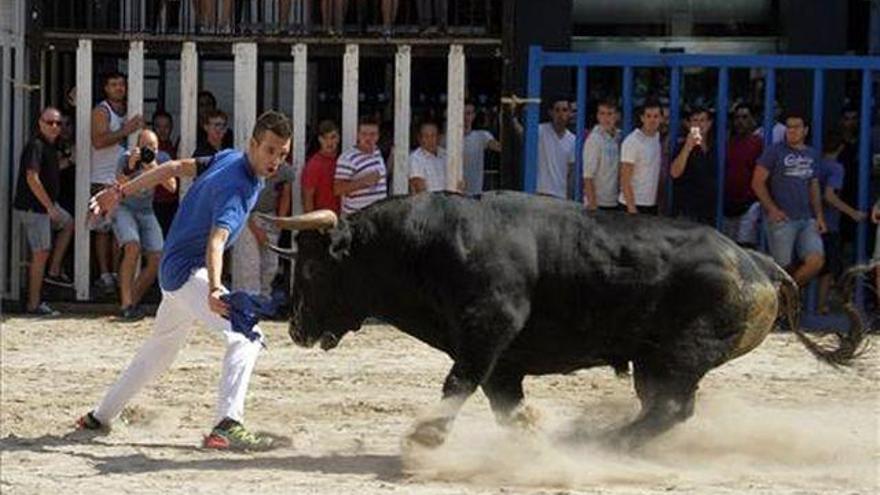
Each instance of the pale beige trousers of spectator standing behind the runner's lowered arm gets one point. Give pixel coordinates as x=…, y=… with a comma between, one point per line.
x=254, y=267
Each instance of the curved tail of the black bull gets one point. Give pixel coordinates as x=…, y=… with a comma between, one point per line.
x=849, y=345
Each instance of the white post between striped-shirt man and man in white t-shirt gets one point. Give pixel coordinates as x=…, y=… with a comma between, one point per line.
x=402, y=117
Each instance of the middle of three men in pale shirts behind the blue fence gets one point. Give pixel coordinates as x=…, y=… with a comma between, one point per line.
x=602, y=159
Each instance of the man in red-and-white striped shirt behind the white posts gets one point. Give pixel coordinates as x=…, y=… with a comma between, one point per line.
x=360, y=178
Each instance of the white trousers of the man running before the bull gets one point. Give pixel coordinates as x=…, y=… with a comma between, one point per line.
x=178, y=310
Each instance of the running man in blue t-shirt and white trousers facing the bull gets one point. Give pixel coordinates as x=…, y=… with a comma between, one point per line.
x=209, y=220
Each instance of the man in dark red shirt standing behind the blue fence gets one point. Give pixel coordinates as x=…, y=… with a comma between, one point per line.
x=743, y=150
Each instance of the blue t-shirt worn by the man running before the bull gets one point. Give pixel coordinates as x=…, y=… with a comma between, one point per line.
x=223, y=196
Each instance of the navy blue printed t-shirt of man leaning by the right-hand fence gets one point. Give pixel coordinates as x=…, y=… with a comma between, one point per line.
x=791, y=171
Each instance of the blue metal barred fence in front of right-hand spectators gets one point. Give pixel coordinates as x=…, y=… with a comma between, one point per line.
x=819, y=64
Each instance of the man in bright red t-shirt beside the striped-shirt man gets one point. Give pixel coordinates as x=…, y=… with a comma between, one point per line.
x=317, y=177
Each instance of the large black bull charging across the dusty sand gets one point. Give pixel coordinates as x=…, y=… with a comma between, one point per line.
x=512, y=285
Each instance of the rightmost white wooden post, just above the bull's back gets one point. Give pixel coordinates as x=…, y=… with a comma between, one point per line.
x=455, y=117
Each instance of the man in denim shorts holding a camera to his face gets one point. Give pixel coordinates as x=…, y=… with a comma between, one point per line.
x=136, y=227
